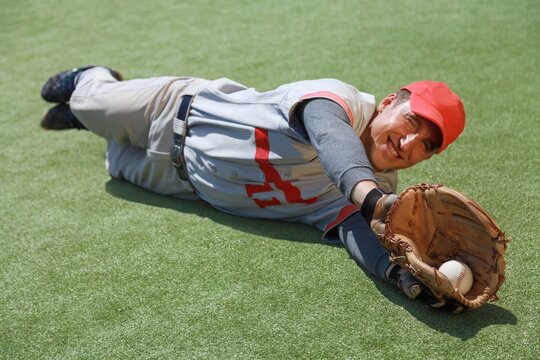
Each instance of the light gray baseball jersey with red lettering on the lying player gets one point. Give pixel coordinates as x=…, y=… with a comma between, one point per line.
x=245, y=159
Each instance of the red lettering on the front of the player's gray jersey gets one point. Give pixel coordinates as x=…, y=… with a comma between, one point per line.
x=262, y=155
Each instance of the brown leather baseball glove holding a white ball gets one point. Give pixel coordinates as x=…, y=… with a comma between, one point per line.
x=430, y=224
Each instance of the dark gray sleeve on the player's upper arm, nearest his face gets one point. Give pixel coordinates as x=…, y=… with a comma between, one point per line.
x=340, y=151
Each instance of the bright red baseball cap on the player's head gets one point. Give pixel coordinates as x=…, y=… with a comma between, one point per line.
x=435, y=101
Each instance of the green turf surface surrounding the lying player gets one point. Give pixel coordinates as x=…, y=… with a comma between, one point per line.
x=98, y=269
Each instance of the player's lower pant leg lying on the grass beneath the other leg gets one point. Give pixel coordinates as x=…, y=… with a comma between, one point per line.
x=152, y=171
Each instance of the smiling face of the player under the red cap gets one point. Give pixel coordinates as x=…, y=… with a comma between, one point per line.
x=397, y=138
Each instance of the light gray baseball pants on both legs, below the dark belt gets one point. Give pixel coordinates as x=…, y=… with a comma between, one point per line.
x=135, y=117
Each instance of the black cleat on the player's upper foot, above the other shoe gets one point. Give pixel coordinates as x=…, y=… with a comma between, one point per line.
x=59, y=87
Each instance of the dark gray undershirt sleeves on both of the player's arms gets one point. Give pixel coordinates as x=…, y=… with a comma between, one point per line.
x=344, y=159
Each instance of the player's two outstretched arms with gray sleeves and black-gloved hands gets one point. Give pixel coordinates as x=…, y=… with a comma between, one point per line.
x=347, y=165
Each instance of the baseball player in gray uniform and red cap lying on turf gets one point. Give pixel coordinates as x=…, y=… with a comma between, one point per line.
x=318, y=152
